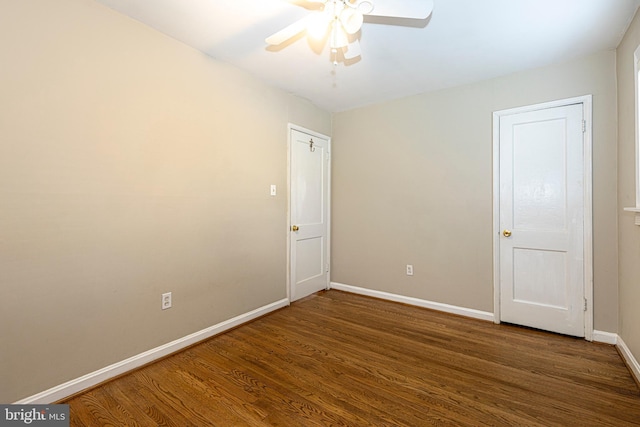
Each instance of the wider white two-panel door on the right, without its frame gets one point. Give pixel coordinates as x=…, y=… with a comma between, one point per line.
x=541, y=245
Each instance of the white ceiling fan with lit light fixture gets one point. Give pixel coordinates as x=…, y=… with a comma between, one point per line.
x=339, y=21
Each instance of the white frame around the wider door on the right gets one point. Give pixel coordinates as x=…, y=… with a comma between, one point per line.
x=586, y=102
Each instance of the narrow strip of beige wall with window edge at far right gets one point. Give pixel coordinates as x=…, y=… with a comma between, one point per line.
x=628, y=233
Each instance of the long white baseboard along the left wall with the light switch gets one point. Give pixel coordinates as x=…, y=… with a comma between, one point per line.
x=74, y=386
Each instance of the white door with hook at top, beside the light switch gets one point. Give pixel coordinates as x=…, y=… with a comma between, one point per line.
x=309, y=249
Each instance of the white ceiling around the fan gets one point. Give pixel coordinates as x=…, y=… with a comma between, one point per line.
x=462, y=42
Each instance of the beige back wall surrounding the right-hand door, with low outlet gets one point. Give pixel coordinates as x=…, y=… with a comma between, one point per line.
x=412, y=184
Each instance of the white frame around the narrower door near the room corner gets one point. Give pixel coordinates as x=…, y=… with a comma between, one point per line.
x=290, y=127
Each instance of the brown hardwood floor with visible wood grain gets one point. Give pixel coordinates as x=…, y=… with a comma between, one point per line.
x=337, y=359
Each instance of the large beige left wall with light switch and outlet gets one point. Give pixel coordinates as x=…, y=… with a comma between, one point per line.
x=130, y=165
